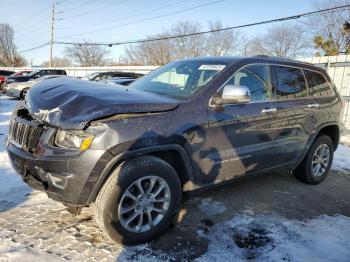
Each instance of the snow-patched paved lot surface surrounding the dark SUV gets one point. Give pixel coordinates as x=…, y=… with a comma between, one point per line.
x=271, y=217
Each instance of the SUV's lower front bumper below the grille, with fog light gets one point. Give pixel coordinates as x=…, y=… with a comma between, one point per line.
x=65, y=179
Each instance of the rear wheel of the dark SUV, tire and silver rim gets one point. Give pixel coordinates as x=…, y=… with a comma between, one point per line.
x=318, y=161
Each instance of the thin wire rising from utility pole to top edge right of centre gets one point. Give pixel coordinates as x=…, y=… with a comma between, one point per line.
x=146, y=19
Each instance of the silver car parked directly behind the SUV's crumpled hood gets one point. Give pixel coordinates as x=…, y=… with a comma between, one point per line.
x=20, y=89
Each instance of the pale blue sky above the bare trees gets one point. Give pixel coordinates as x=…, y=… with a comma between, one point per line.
x=120, y=20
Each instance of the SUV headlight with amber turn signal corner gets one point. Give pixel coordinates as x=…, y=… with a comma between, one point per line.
x=73, y=140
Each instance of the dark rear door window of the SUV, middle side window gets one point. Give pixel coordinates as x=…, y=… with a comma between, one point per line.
x=289, y=82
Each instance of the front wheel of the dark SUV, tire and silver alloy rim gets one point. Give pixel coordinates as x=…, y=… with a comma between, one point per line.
x=139, y=200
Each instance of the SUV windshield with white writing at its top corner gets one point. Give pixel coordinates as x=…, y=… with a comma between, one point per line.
x=180, y=79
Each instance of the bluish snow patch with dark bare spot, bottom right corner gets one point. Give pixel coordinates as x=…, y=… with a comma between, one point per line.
x=273, y=238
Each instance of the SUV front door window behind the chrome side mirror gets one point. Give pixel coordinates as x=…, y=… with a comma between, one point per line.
x=257, y=79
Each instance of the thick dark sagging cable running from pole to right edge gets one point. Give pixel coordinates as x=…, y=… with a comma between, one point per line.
x=294, y=17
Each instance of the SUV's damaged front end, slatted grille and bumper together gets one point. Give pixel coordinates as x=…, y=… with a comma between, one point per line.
x=67, y=176
